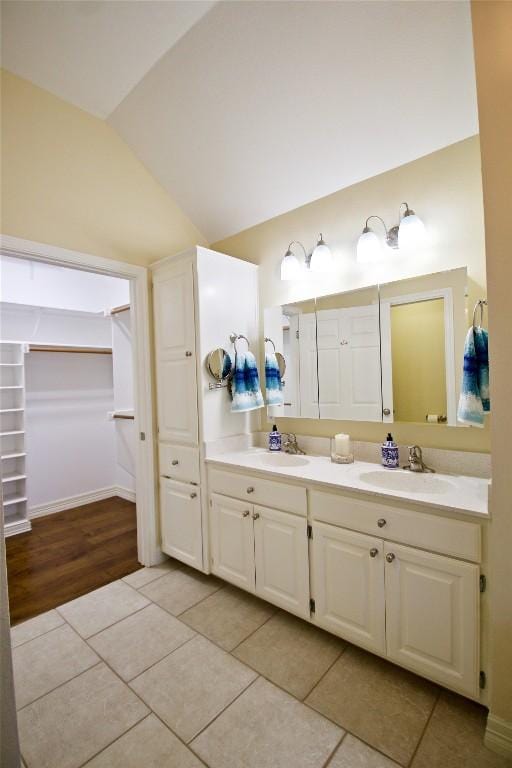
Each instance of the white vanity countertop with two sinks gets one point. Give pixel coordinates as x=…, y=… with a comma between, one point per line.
x=456, y=493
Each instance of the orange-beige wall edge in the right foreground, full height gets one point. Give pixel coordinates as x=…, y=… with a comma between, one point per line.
x=492, y=30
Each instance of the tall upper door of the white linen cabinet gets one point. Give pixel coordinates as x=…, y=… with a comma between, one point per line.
x=175, y=354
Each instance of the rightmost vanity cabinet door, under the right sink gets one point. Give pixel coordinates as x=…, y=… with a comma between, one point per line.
x=432, y=616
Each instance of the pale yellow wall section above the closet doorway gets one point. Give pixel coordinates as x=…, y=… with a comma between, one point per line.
x=69, y=180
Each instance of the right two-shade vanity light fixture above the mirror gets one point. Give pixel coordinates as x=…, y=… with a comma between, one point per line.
x=409, y=232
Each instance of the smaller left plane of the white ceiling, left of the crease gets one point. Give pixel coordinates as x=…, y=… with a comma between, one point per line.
x=91, y=53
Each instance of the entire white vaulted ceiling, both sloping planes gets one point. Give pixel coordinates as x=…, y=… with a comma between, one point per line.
x=244, y=110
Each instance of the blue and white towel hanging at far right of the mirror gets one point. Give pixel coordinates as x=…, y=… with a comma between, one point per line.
x=474, y=398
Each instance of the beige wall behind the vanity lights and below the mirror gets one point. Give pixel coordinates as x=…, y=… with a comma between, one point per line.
x=445, y=189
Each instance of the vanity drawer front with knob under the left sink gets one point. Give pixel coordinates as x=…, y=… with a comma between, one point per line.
x=257, y=490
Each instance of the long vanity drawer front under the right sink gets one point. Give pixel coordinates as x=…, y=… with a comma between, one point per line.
x=439, y=534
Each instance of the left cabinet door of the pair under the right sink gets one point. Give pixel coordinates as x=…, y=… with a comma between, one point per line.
x=348, y=585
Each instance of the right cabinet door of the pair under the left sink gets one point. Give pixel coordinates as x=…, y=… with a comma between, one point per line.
x=281, y=553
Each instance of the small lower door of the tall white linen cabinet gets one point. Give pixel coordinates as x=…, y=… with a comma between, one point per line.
x=180, y=514
